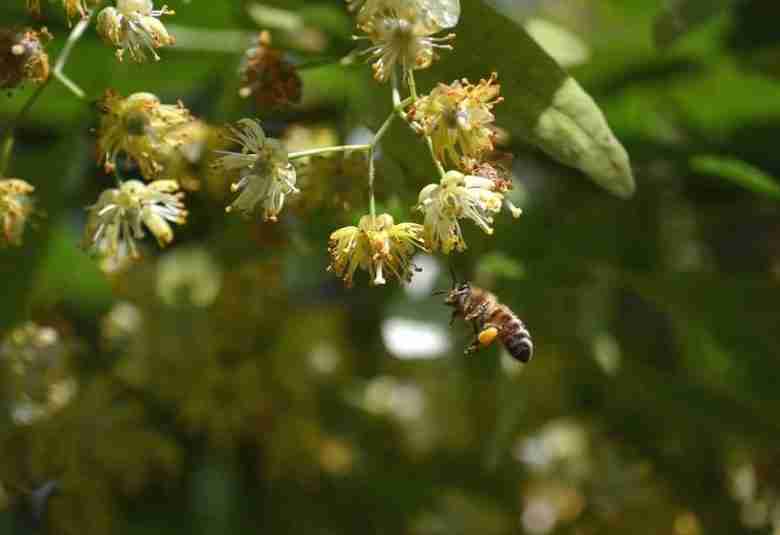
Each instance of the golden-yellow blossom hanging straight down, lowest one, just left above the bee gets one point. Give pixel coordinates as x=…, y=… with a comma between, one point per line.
x=376, y=245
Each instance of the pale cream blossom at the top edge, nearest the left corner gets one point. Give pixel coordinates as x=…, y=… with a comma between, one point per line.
x=133, y=26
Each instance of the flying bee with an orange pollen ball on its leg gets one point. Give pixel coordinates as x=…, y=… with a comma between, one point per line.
x=490, y=319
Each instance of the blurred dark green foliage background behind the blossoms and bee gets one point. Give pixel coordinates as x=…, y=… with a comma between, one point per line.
x=231, y=384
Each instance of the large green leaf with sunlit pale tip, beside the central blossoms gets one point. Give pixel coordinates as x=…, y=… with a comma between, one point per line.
x=543, y=105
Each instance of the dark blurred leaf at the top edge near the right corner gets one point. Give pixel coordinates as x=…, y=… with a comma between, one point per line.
x=681, y=16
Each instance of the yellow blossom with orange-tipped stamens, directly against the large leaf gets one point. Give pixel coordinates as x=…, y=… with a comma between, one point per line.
x=458, y=118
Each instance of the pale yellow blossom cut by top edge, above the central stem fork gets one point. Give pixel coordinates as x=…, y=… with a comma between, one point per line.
x=400, y=34
